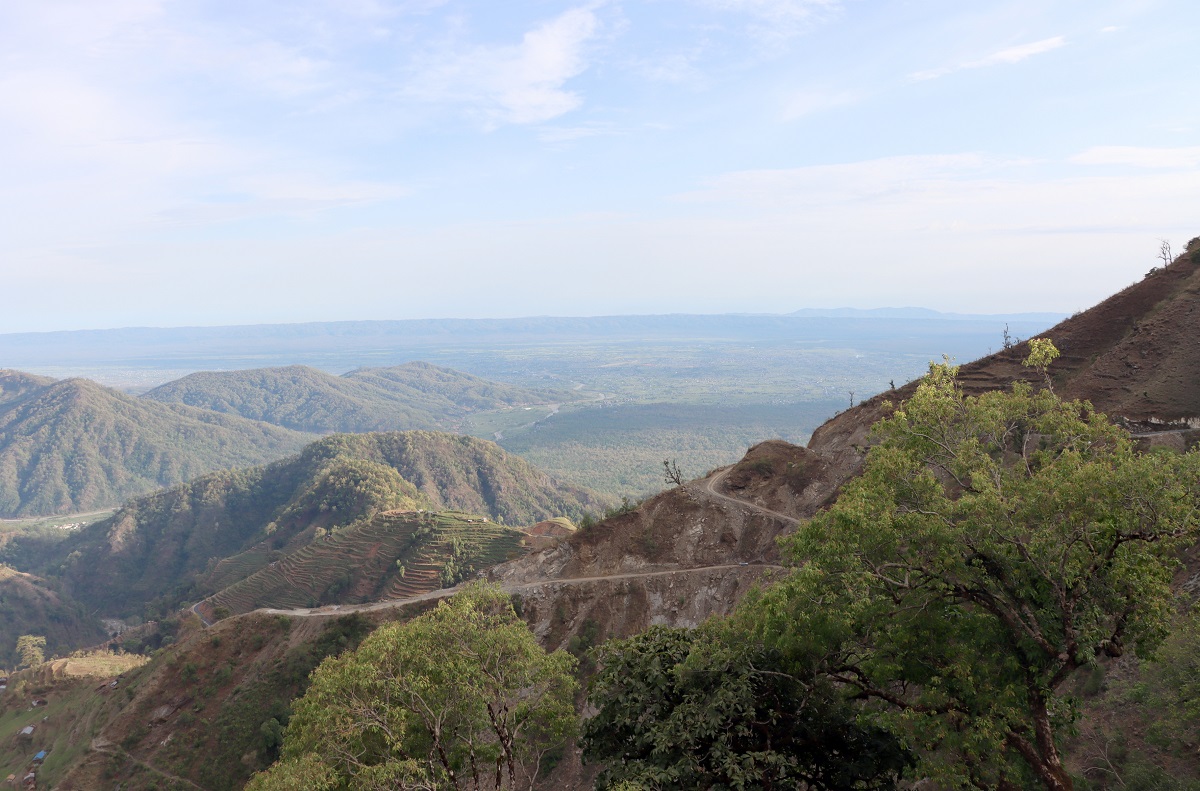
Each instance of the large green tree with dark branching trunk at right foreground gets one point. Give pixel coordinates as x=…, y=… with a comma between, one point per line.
x=992, y=548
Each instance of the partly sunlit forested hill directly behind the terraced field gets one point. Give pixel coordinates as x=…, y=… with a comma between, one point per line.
x=155, y=547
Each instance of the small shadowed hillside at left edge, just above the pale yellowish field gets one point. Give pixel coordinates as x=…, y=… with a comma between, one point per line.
x=28, y=607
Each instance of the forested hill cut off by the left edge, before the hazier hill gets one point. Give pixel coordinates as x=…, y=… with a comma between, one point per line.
x=75, y=446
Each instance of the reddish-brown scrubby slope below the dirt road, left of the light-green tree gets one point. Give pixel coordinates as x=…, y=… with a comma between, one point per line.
x=213, y=693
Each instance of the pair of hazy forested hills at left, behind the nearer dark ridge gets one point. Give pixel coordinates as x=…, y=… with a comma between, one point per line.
x=71, y=446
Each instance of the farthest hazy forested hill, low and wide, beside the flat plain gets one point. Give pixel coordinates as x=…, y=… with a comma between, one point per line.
x=415, y=395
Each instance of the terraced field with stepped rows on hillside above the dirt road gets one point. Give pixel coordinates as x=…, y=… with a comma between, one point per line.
x=394, y=555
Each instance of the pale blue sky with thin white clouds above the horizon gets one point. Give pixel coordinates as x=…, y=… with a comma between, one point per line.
x=213, y=163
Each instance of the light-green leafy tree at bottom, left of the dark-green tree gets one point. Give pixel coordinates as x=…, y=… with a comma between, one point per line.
x=460, y=698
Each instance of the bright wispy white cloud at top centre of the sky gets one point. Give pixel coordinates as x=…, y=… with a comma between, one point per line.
x=523, y=83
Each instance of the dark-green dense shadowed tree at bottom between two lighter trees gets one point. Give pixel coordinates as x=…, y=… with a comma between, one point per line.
x=685, y=709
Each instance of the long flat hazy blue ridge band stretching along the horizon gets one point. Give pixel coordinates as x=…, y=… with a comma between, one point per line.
x=463, y=344
